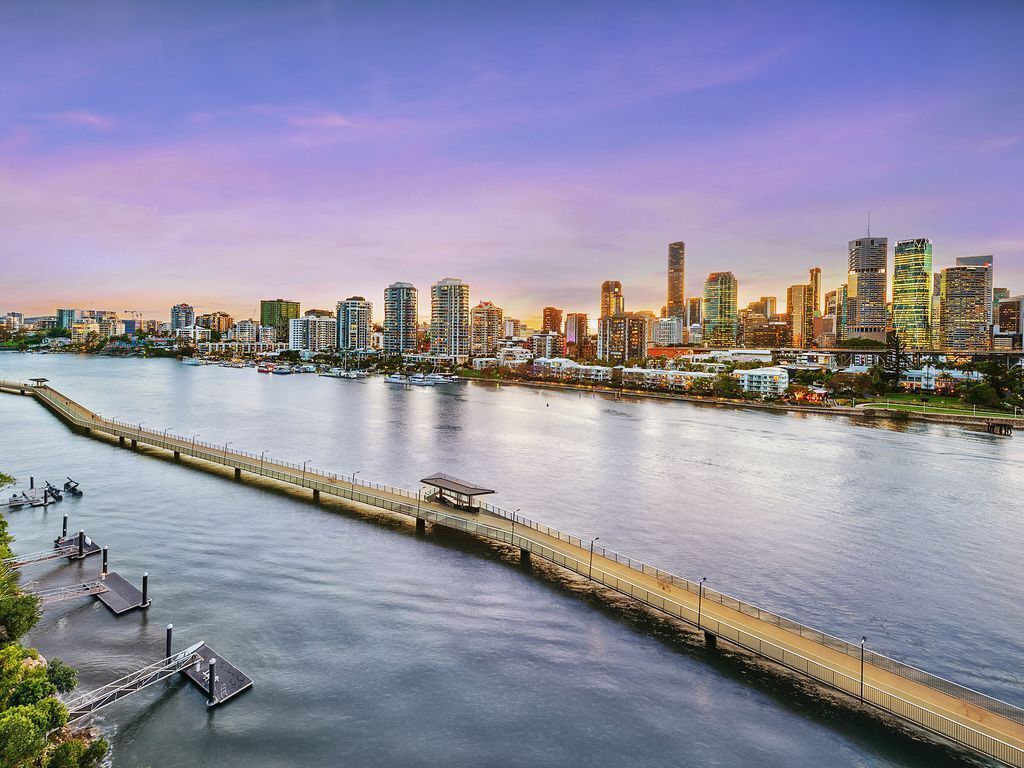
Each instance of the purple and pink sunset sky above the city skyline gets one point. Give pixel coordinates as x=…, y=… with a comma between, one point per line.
x=221, y=153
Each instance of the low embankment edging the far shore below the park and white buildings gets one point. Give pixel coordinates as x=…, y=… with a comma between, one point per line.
x=876, y=411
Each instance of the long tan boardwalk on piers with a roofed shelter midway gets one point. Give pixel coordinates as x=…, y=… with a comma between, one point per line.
x=971, y=719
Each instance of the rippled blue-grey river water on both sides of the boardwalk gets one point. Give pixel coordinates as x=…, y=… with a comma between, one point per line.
x=371, y=647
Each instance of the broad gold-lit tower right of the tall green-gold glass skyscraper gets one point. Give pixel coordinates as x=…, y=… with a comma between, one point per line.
x=965, y=308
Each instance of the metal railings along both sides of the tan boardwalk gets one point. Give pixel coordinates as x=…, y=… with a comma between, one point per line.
x=360, y=491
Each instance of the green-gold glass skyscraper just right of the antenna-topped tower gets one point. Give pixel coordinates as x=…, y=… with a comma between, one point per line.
x=913, y=292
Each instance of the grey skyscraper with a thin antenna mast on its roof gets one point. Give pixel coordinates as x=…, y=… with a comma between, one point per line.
x=868, y=314
